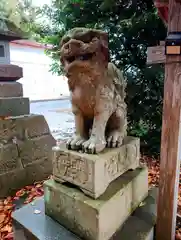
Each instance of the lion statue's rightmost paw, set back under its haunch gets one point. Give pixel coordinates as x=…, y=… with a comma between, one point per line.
x=114, y=139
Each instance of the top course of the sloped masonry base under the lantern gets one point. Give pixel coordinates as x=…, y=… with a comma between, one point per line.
x=23, y=128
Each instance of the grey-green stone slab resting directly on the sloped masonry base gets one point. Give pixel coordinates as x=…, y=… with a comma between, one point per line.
x=15, y=106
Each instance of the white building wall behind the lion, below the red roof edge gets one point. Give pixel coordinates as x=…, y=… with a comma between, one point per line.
x=38, y=82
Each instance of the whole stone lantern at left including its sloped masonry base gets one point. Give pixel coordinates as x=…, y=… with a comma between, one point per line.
x=25, y=139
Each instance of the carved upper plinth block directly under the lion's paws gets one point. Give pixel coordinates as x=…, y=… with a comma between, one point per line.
x=93, y=173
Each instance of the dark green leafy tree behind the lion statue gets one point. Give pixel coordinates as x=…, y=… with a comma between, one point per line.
x=132, y=27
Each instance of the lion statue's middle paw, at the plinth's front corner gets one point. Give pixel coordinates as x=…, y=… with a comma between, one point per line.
x=93, y=146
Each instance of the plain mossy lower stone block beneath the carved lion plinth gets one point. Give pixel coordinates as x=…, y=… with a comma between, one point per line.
x=96, y=219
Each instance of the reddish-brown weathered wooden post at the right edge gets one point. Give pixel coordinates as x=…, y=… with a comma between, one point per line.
x=170, y=156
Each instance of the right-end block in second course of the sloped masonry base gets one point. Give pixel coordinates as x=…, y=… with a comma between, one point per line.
x=34, y=149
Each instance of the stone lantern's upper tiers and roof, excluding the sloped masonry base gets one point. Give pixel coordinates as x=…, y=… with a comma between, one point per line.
x=12, y=102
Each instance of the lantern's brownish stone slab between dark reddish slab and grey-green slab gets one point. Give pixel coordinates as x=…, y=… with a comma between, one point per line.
x=11, y=89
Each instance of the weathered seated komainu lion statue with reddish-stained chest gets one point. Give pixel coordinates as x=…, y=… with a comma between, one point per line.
x=97, y=90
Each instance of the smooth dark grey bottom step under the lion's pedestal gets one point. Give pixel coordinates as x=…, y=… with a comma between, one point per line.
x=41, y=227
